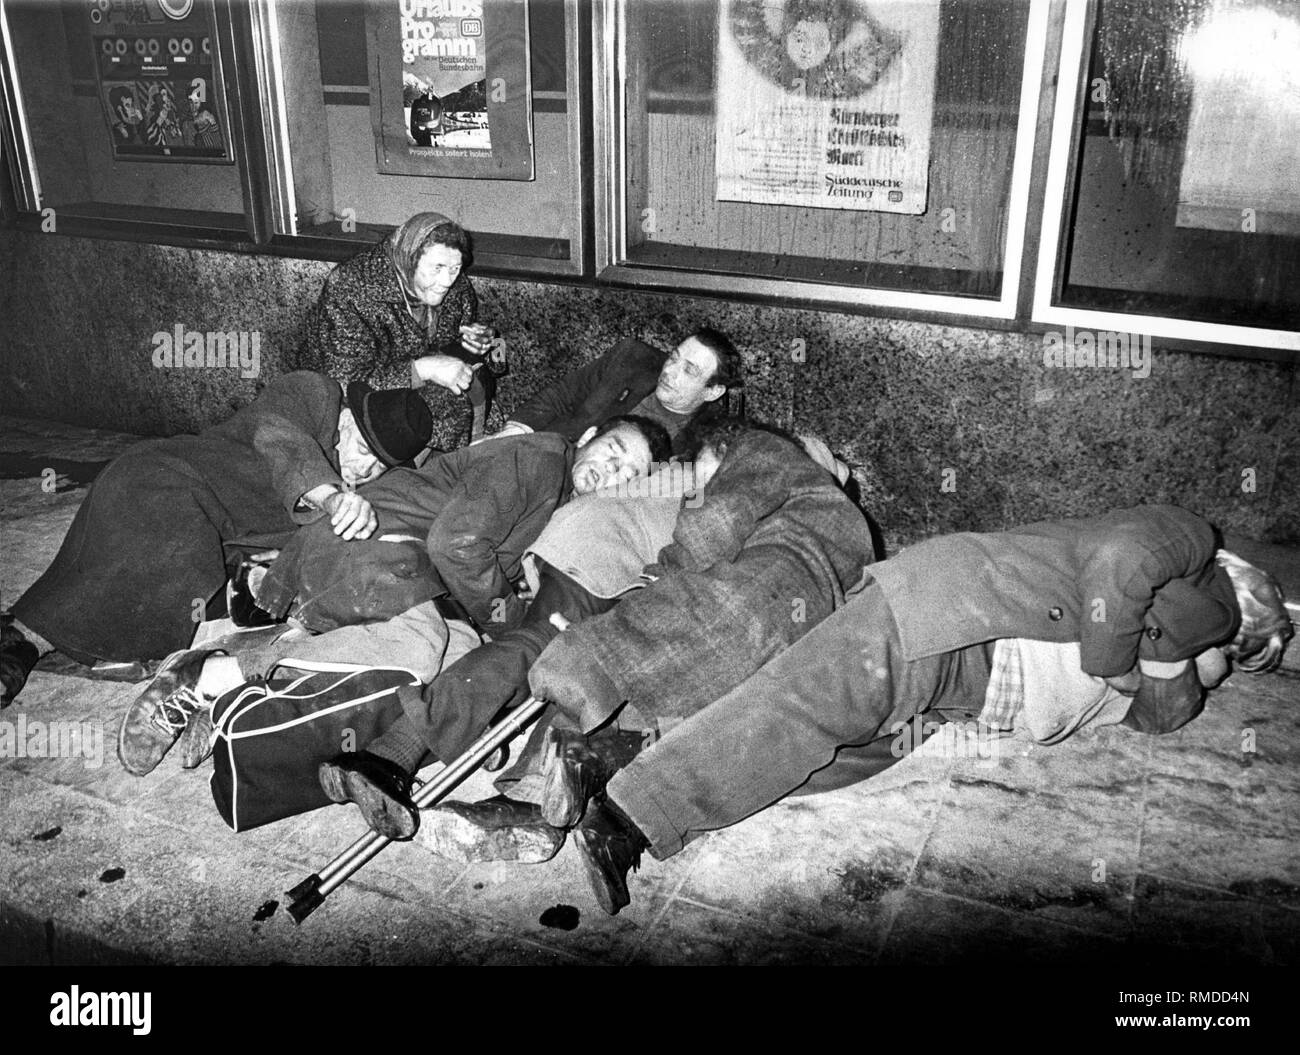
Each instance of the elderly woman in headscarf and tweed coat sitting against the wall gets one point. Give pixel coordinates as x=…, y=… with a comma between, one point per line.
x=404, y=315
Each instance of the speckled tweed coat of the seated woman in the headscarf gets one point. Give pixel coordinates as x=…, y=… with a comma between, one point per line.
x=361, y=331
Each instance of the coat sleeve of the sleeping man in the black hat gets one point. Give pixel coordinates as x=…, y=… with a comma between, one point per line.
x=288, y=439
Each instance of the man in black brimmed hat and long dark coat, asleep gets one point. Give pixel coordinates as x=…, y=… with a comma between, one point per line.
x=153, y=541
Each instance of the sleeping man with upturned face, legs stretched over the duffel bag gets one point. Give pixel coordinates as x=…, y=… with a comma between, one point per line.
x=444, y=555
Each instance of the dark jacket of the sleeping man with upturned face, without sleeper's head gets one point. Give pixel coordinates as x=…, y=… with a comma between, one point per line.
x=469, y=518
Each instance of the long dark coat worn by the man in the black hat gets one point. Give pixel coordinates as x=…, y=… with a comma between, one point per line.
x=145, y=552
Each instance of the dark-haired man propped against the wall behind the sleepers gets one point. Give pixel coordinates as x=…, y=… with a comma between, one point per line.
x=679, y=389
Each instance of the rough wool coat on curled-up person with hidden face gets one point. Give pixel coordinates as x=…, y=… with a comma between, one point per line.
x=768, y=555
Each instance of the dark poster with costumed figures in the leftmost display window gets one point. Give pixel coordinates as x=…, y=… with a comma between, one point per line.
x=161, y=80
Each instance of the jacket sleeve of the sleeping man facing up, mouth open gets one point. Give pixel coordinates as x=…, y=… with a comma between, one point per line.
x=489, y=507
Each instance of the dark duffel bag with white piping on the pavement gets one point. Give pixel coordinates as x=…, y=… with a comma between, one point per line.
x=271, y=736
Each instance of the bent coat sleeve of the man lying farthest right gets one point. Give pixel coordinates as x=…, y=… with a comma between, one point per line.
x=1121, y=576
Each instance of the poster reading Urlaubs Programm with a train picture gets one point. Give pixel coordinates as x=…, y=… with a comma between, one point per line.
x=452, y=89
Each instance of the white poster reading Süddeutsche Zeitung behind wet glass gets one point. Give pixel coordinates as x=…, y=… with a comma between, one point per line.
x=826, y=103
